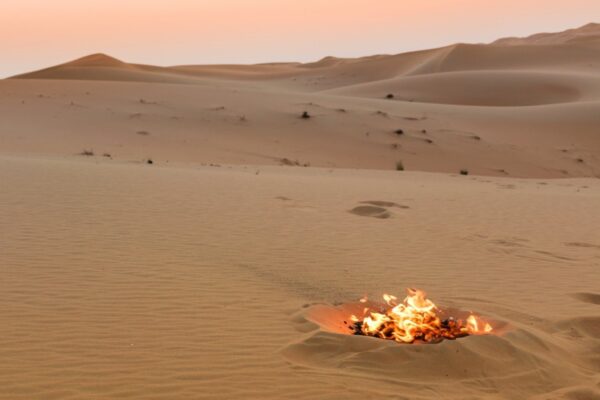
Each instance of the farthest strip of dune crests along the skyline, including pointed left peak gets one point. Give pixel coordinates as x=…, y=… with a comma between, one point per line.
x=501, y=55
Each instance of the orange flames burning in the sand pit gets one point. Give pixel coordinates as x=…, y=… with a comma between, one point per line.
x=416, y=319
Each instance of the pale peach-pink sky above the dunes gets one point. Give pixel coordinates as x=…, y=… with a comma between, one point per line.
x=39, y=33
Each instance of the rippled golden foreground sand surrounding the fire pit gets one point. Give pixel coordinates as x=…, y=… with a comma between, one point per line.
x=138, y=281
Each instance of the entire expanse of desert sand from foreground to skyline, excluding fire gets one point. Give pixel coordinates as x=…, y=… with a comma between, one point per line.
x=224, y=269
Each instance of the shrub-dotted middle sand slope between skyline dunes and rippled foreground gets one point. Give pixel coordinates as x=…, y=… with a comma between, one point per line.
x=222, y=122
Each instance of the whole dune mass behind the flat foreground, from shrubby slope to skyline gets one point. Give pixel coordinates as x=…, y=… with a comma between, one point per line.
x=513, y=107
